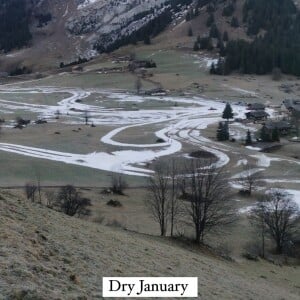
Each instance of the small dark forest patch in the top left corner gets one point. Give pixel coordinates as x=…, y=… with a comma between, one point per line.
x=14, y=25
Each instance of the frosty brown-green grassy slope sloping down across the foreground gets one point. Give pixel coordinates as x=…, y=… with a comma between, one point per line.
x=47, y=255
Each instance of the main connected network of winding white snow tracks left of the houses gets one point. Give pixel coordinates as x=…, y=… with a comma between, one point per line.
x=178, y=124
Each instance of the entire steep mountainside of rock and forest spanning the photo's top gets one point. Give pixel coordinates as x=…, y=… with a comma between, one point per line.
x=249, y=36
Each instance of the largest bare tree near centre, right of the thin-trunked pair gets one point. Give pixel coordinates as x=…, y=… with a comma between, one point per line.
x=208, y=196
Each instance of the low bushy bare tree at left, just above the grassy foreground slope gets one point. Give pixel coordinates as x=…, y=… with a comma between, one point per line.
x=71, y=203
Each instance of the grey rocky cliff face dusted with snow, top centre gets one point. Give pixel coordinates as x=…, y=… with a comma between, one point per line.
x=106, y=22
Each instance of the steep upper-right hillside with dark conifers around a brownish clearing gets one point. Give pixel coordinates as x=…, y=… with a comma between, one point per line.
x=262, y=36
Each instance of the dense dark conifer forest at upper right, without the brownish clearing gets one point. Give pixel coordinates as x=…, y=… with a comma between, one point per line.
x=274, y=27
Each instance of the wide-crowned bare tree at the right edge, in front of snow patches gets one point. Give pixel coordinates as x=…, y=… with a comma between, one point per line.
x=280, y=216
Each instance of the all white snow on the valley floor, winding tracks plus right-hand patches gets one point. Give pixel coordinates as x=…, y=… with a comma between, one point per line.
x=174, y=124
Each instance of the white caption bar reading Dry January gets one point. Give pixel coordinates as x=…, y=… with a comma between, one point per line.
x=128, y=287
